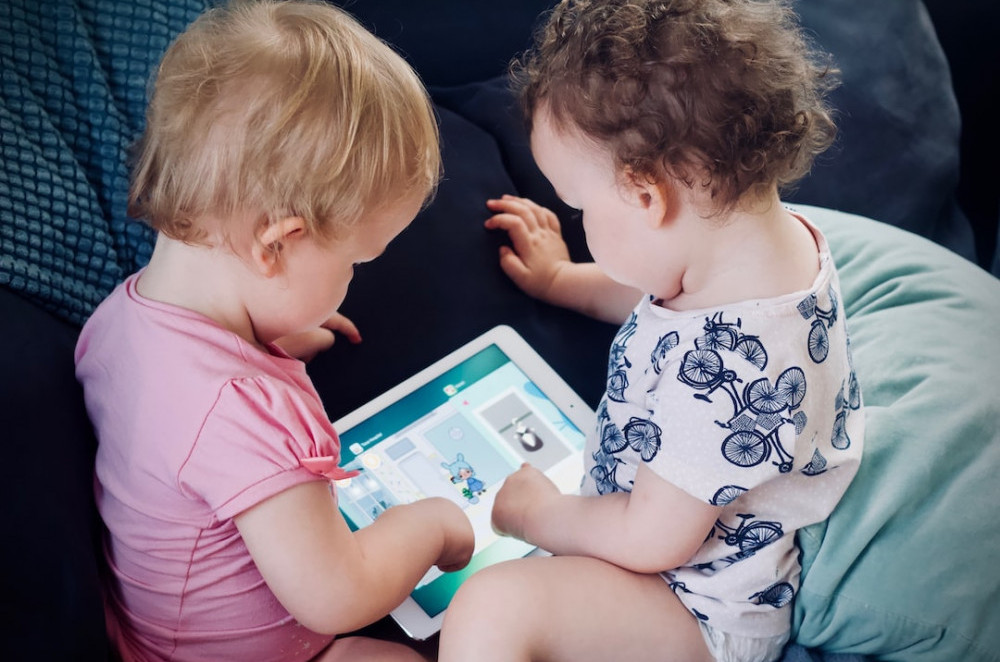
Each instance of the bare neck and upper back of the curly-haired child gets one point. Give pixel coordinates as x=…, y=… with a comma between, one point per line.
x=758, y=252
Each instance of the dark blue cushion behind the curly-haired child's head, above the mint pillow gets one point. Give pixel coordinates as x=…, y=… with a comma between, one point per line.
x=897, y=153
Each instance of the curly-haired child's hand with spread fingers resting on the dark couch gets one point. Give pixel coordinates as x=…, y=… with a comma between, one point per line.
x=538, y=252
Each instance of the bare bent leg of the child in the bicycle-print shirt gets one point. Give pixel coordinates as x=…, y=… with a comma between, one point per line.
x=568, y=608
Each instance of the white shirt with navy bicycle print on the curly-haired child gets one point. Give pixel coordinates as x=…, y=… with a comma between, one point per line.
x=754, y=407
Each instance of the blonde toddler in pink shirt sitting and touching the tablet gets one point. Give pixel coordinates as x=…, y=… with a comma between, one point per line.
x=284, y=145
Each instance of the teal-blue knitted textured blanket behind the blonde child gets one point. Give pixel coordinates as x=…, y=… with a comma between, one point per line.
x=73, y=81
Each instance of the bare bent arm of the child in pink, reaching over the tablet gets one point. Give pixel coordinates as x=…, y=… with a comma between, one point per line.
x=333, y=580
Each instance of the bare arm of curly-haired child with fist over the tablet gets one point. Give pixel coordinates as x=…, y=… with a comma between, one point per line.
x=655, y=527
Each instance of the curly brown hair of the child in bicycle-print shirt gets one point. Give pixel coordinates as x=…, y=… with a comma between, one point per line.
x=725, y=94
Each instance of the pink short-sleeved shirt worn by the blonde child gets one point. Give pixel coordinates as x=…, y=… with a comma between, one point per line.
x=194, y=425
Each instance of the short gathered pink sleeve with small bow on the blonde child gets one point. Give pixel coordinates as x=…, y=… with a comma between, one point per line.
x=252, y=443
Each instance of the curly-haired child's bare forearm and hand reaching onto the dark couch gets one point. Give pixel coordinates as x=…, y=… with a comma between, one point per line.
x=539, y=263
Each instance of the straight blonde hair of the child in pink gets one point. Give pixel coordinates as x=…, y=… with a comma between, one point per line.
x=281, y=108
